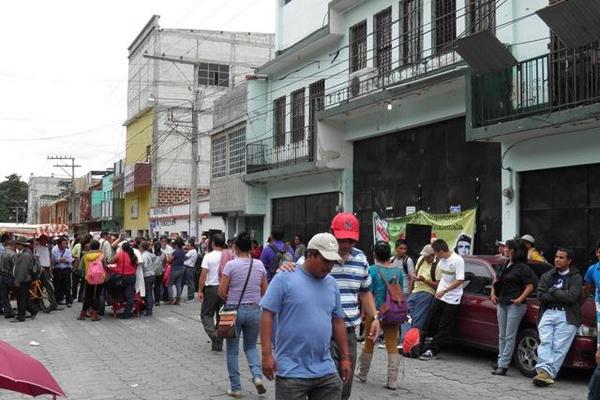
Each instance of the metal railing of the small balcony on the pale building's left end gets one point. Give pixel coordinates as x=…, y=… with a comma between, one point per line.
x=292, y=148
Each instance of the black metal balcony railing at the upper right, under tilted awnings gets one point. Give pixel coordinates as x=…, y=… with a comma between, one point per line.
x=544, y=84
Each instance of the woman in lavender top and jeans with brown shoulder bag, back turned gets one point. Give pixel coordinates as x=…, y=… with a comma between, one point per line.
x=242, y=285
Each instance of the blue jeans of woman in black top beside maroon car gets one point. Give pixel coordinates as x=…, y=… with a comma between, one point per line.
x=509, y=319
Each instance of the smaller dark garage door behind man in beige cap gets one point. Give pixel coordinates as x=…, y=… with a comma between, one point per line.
x=304, y=215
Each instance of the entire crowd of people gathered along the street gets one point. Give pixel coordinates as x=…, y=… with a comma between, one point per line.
x=306, y=302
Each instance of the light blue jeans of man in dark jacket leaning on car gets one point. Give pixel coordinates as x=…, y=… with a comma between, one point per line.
x=556, y=336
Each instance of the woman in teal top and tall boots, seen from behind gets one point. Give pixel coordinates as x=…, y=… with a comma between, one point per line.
x=383, y=269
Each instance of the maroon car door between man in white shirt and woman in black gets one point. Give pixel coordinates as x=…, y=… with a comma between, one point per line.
x=477, y=321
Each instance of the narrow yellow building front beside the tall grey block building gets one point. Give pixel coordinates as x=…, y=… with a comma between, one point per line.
x=137, y=181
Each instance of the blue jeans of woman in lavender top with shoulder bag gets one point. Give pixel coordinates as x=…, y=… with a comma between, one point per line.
x=248, y=322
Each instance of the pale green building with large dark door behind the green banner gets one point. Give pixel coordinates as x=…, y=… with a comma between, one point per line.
x=363, y=109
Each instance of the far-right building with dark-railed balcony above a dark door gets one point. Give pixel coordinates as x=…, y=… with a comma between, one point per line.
x=543, y=111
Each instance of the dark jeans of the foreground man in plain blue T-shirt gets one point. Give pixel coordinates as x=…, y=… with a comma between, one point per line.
x=326, y=388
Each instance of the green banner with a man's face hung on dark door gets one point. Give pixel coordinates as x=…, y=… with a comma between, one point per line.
x=457, y=229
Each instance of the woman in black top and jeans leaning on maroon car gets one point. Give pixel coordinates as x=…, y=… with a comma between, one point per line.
x=513, y=284
